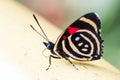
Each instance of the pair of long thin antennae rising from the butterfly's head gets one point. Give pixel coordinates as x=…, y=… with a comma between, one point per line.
x=45, y=37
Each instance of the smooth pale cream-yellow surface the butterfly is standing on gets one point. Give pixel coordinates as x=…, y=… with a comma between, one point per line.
x=21, y=49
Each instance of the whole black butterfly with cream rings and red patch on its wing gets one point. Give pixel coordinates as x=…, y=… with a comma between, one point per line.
x=81, y=41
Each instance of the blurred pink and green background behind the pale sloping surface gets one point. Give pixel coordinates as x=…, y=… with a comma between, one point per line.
x=63, y=12
